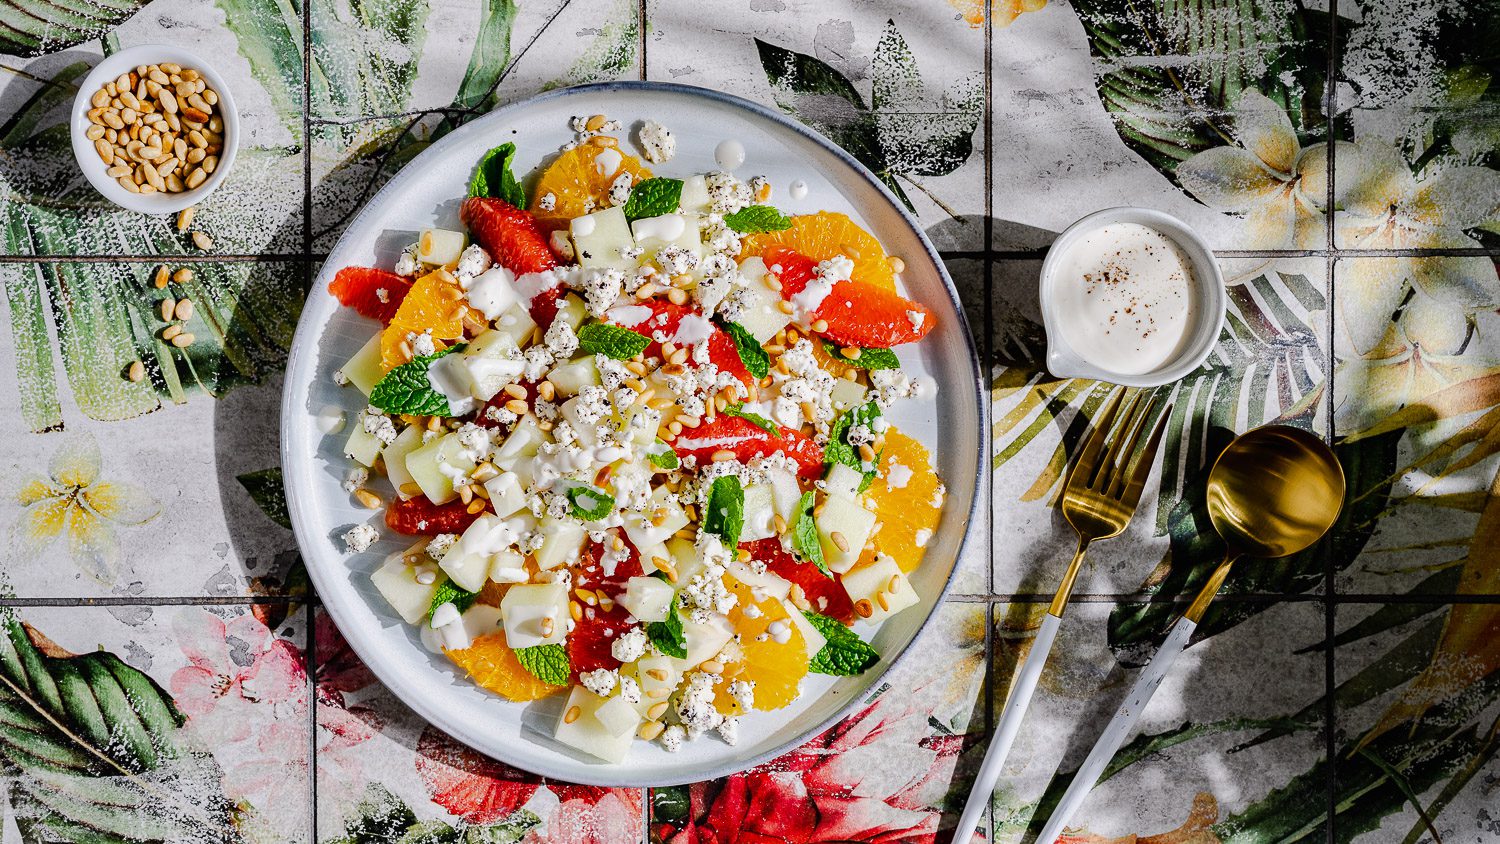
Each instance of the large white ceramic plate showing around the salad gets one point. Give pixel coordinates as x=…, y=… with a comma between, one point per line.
x=428, y=194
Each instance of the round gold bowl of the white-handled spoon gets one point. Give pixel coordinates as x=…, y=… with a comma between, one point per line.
x=1274, y=492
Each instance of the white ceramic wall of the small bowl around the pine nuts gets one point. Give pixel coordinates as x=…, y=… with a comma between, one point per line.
x=95, y=169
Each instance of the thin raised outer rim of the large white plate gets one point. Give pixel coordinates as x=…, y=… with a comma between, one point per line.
x=308, y=335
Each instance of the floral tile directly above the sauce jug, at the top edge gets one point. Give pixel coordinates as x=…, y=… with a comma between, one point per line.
x=1208, y=116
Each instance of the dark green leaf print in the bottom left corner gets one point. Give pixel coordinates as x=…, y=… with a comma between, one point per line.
x=95, y=753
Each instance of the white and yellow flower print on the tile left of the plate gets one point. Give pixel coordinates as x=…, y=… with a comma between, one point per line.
x=73, y=500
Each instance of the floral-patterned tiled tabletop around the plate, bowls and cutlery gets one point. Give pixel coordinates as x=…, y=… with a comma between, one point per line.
x=1001, y=122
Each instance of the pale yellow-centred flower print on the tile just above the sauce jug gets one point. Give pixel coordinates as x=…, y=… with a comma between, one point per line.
x=1279, y=187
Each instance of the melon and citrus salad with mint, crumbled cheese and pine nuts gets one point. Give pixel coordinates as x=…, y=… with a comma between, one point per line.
x=637, y=443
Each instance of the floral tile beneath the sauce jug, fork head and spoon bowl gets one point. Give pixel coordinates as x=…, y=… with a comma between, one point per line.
x=1270, y=367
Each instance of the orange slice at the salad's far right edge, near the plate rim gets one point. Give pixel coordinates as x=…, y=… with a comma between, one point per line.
x=907, y=498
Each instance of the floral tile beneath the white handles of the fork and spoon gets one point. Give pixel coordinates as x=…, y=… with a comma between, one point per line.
x=1229, y=749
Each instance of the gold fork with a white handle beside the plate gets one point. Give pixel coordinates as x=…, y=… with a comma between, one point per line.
x=1099, y=503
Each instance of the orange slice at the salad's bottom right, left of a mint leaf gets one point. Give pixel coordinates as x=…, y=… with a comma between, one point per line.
x=775, y=668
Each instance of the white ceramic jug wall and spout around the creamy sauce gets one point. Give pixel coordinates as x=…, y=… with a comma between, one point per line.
x=1064, y=362
